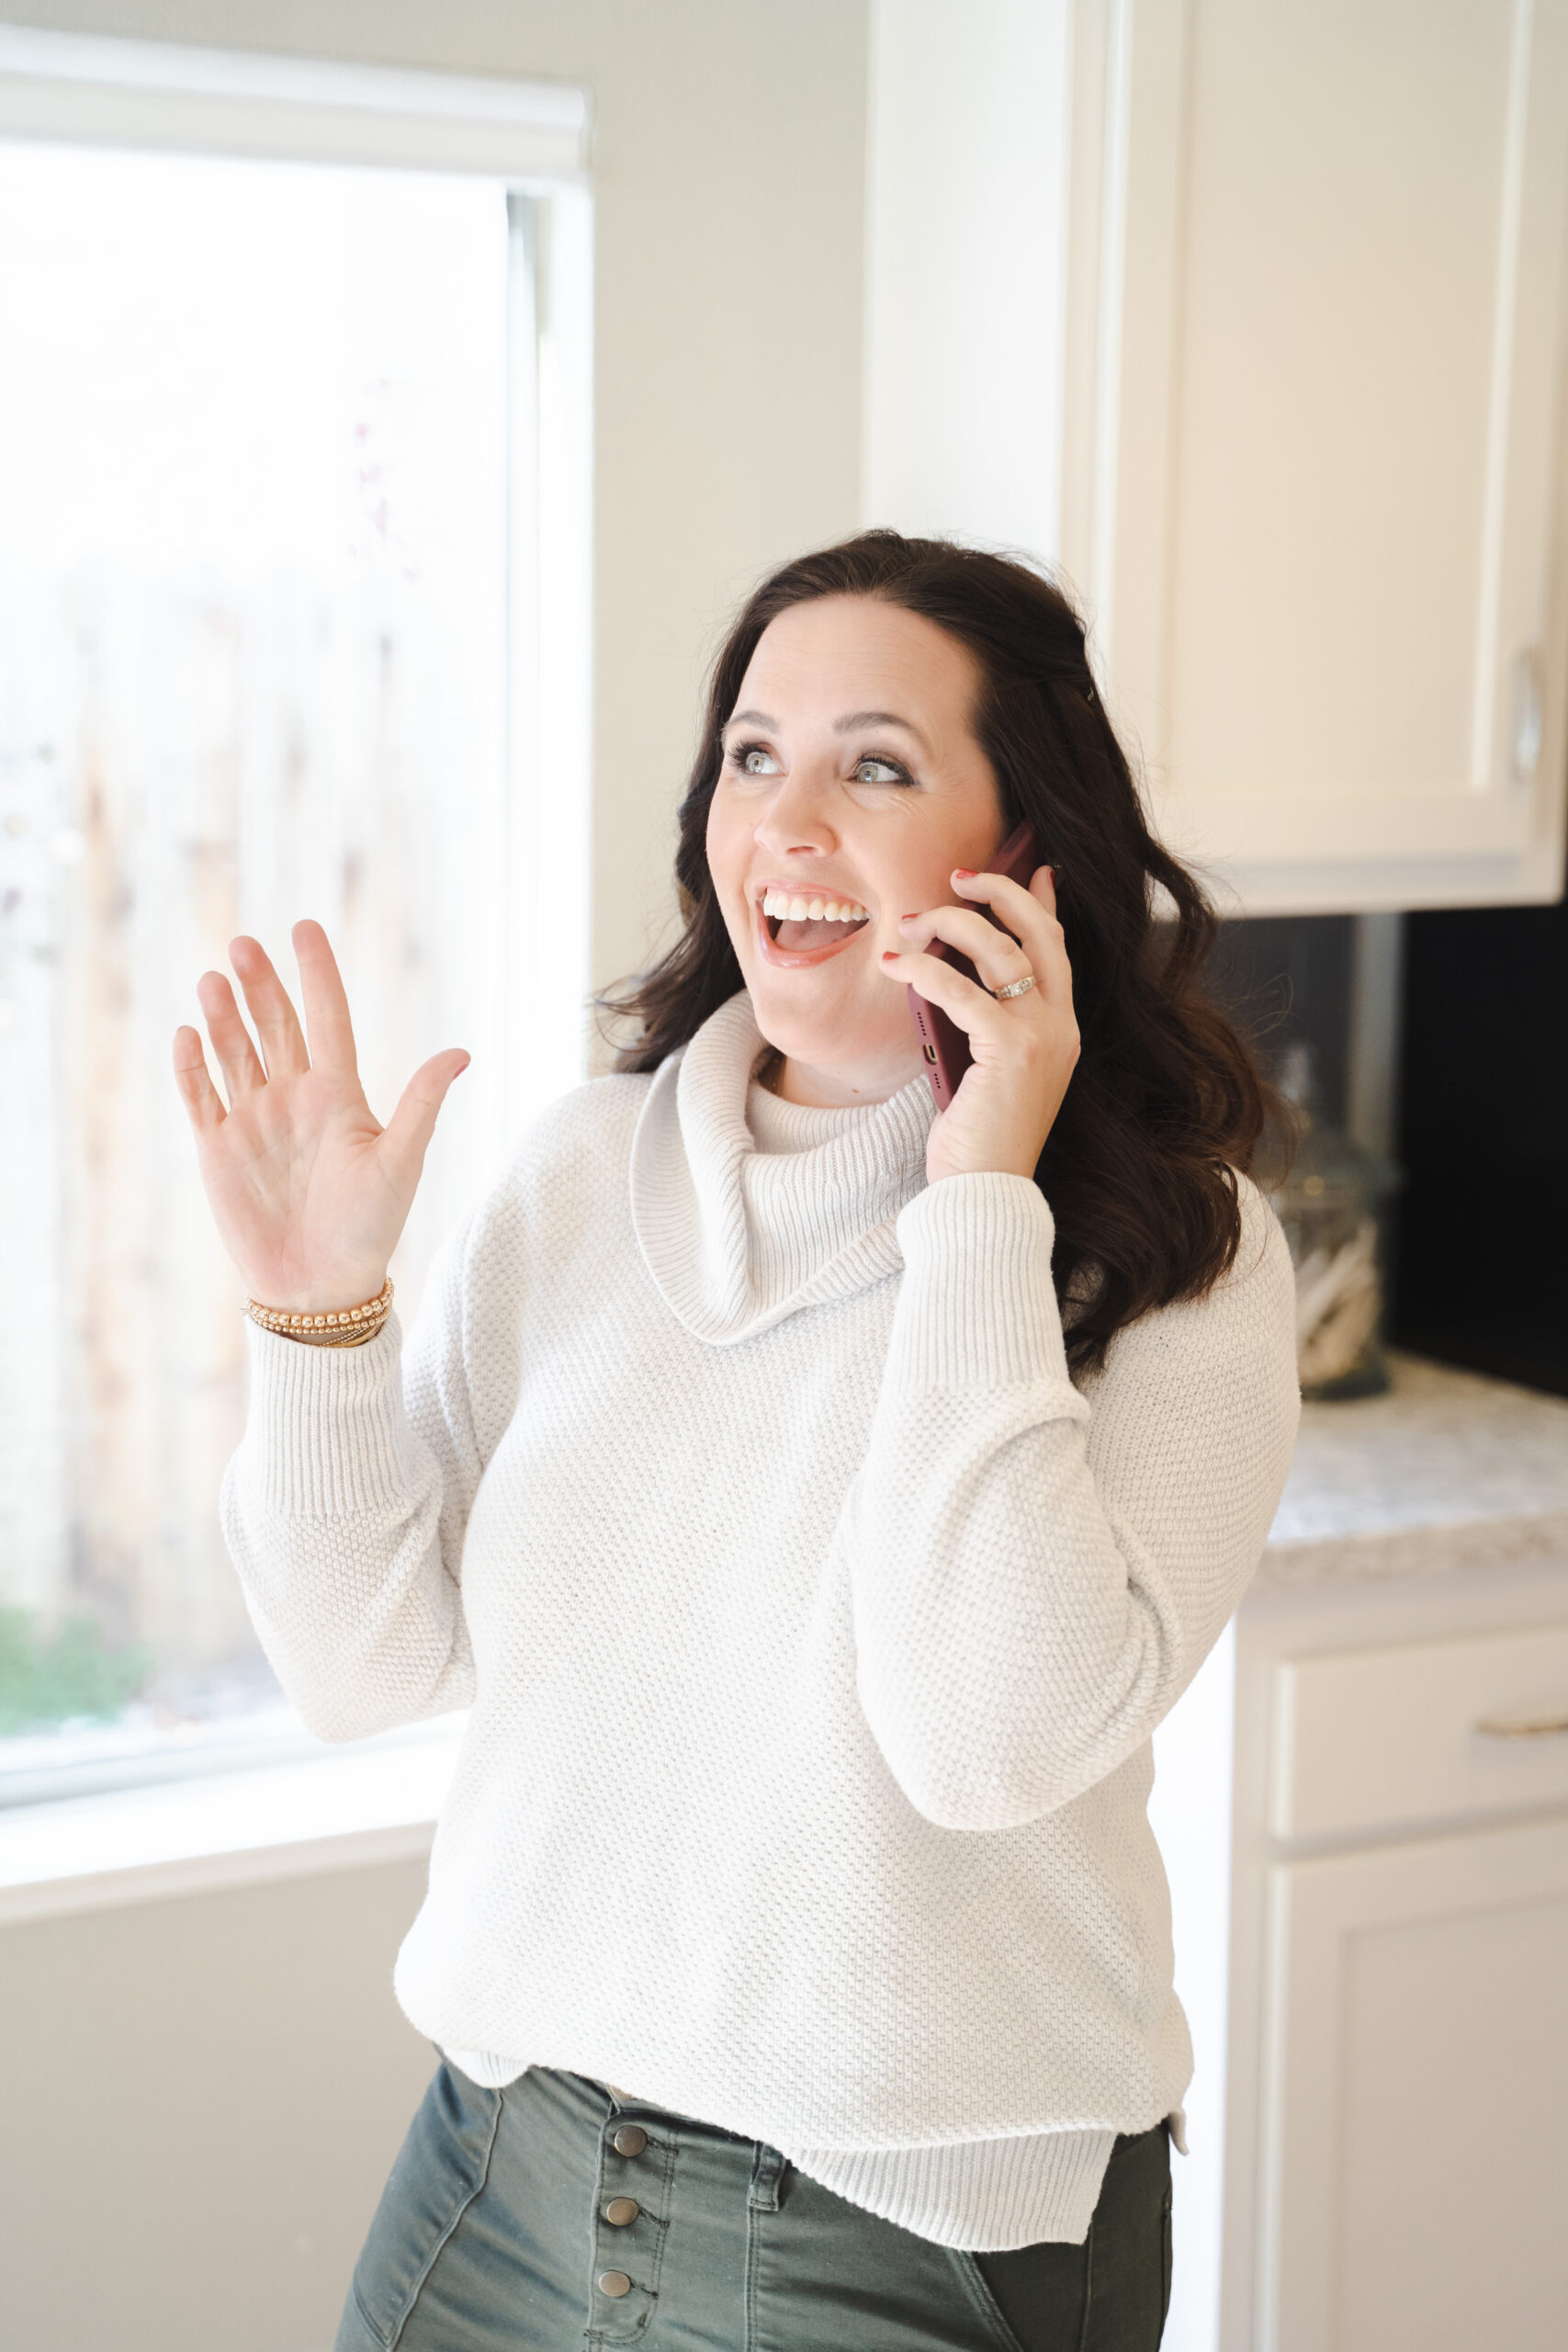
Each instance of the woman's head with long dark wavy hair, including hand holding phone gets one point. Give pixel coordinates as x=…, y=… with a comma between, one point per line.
x=880, y=719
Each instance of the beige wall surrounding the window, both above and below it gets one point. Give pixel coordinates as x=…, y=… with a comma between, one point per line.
x=199, y=2099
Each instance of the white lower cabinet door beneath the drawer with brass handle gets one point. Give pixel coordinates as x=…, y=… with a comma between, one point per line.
x=1416, y=2099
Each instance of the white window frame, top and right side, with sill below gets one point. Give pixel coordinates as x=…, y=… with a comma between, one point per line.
x=535, y=138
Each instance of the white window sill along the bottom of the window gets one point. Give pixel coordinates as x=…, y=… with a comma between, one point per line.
x=283, y=1822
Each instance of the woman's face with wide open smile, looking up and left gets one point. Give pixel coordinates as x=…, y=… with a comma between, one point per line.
x=852, y=780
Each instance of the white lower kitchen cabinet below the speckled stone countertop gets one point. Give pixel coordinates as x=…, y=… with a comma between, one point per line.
x=1372, y=1935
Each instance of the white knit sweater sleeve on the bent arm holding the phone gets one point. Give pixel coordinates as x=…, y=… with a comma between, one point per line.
x=1038, y=1572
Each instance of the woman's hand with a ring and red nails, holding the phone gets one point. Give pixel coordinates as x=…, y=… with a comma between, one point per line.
x=1024, y=1048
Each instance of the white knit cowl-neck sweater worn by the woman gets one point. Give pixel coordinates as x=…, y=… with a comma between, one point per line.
x=812, y=1626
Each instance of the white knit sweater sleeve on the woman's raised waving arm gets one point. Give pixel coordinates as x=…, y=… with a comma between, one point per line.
x=344, y=1514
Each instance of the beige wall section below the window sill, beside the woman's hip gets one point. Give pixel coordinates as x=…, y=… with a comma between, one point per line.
x=199, y=2106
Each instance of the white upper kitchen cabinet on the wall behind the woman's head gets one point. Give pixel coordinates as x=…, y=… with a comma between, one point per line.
x=1252, y=316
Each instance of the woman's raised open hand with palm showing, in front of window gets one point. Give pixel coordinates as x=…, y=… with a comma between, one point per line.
x=309, y=1191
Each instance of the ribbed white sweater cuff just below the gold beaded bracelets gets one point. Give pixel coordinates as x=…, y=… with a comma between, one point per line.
x=326, y=1434
